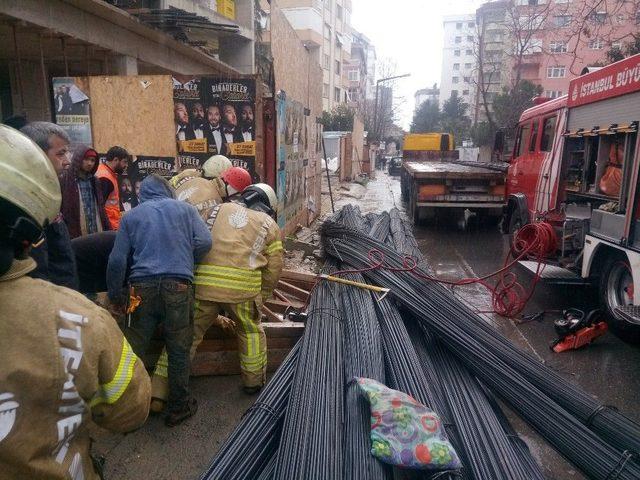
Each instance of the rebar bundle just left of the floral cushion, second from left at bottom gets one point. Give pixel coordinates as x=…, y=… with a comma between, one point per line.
x=311, y=445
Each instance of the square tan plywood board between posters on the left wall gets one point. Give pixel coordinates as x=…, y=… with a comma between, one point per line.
x=134, y=112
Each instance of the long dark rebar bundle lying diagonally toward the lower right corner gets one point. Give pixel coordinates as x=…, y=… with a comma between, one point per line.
x=560, y=412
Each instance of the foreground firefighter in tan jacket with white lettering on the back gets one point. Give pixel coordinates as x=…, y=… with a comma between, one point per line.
x=63, y=360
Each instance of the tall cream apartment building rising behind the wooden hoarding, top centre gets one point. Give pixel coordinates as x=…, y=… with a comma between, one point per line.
x=325, y=26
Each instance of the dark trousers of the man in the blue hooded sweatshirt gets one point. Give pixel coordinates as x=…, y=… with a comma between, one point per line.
x=167, y=302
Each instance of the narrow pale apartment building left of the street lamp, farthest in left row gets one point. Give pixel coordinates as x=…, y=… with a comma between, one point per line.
x=359, y=71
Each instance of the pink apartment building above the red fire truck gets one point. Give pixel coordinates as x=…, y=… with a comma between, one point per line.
x=565, y=37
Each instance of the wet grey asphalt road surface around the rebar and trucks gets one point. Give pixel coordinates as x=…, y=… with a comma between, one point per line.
x=609, y=369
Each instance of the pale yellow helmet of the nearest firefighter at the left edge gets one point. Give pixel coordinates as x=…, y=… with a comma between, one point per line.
x=28, y=179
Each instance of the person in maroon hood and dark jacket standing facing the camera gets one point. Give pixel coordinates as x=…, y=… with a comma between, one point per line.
x=82, y=198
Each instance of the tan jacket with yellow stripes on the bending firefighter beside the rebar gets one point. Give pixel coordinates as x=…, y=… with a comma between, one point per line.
x=246, y=258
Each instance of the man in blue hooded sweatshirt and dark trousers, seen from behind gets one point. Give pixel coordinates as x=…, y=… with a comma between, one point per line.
x=160, y=241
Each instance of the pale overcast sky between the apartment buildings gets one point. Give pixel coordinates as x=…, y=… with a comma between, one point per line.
x=409, y=32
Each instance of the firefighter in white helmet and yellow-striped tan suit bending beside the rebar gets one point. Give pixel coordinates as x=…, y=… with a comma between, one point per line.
x=237, y=276
